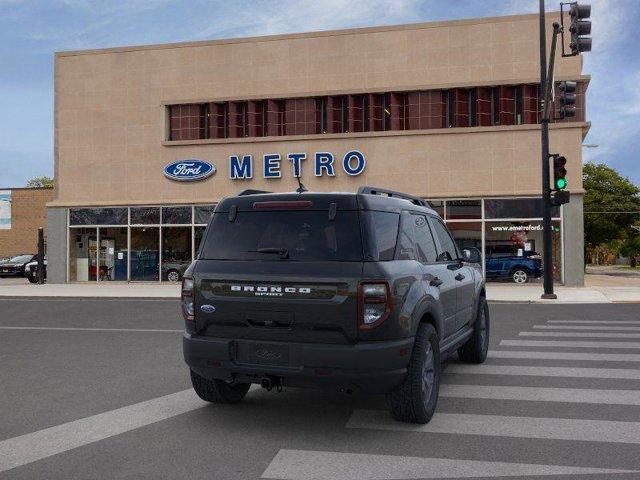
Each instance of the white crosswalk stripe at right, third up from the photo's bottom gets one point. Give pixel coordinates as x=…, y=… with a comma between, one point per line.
x=537, y=394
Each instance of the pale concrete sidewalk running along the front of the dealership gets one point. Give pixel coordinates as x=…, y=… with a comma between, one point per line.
x=495, y=292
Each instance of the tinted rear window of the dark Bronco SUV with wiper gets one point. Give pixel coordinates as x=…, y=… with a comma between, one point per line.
x=305, y=235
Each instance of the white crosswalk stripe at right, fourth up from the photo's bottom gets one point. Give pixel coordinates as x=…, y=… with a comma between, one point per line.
x=622, y=373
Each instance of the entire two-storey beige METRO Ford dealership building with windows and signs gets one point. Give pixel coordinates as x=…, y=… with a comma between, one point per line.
x=447, y=111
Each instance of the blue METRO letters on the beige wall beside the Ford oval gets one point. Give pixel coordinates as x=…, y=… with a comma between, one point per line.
x=352, y=163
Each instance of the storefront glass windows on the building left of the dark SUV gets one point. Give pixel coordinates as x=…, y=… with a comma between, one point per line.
x=147, y=243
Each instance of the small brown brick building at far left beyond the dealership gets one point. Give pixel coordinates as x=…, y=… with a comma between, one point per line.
x=28, y=212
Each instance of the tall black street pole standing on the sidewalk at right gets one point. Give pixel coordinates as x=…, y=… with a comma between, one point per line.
x=547, y=260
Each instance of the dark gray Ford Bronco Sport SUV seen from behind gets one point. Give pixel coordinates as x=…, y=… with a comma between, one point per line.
x=356, y=292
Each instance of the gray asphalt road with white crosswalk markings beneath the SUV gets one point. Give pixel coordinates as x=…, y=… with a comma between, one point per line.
x=97, y=389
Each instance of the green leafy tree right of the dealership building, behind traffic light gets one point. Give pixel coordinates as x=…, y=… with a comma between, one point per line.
x=611, y=205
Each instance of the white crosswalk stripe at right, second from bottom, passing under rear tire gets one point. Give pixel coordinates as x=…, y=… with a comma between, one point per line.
x=503, y=426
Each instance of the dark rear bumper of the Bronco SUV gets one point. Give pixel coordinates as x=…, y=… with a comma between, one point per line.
x=369, y=367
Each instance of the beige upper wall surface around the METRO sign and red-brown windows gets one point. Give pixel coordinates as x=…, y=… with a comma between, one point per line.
x=111, y=121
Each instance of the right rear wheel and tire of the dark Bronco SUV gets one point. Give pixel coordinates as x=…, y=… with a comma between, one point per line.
x=415, y=399
